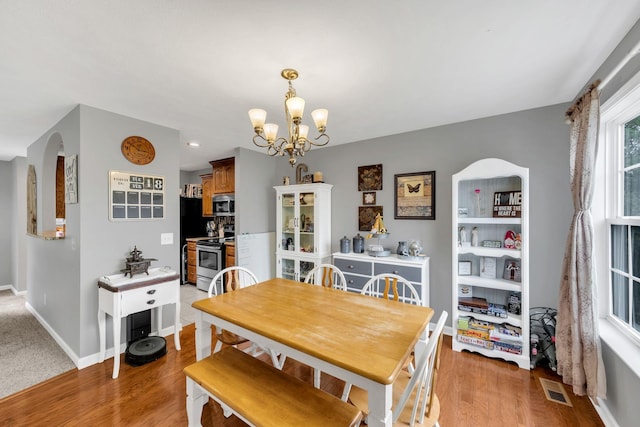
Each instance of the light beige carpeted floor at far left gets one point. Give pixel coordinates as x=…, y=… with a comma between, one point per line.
x=28, y=354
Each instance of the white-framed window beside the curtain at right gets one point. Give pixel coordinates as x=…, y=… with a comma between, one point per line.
x=620, y=135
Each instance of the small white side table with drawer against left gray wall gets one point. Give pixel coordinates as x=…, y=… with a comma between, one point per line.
x=120, y=296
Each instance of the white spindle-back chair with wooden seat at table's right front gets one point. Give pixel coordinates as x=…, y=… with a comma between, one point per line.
x=417, y=388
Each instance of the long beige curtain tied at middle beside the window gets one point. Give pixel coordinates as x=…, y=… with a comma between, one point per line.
x=577, y=339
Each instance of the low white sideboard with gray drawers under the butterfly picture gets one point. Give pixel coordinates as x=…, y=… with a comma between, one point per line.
x=359, y=268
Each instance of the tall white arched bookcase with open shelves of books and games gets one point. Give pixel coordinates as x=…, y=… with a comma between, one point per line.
x=490, y=270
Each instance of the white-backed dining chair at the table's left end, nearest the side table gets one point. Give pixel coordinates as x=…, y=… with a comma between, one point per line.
x=229, y=280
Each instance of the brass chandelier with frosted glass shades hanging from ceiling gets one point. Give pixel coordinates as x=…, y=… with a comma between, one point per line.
x=296, y=144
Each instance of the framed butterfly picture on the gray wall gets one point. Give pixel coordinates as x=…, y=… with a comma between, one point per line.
x=415, y=195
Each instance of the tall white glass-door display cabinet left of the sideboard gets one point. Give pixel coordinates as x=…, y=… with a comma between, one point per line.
x=303, y=228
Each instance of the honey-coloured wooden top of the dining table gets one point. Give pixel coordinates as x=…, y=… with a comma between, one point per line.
x=369, y=336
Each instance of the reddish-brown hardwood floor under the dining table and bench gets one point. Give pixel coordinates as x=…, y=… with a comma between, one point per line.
x=473, y=390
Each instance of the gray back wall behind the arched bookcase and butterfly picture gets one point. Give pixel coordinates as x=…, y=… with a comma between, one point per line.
x=537, y=139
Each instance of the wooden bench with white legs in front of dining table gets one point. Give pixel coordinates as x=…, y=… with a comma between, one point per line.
x=260, y=394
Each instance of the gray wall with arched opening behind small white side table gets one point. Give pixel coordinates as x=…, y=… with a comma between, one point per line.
x=62, y=274
